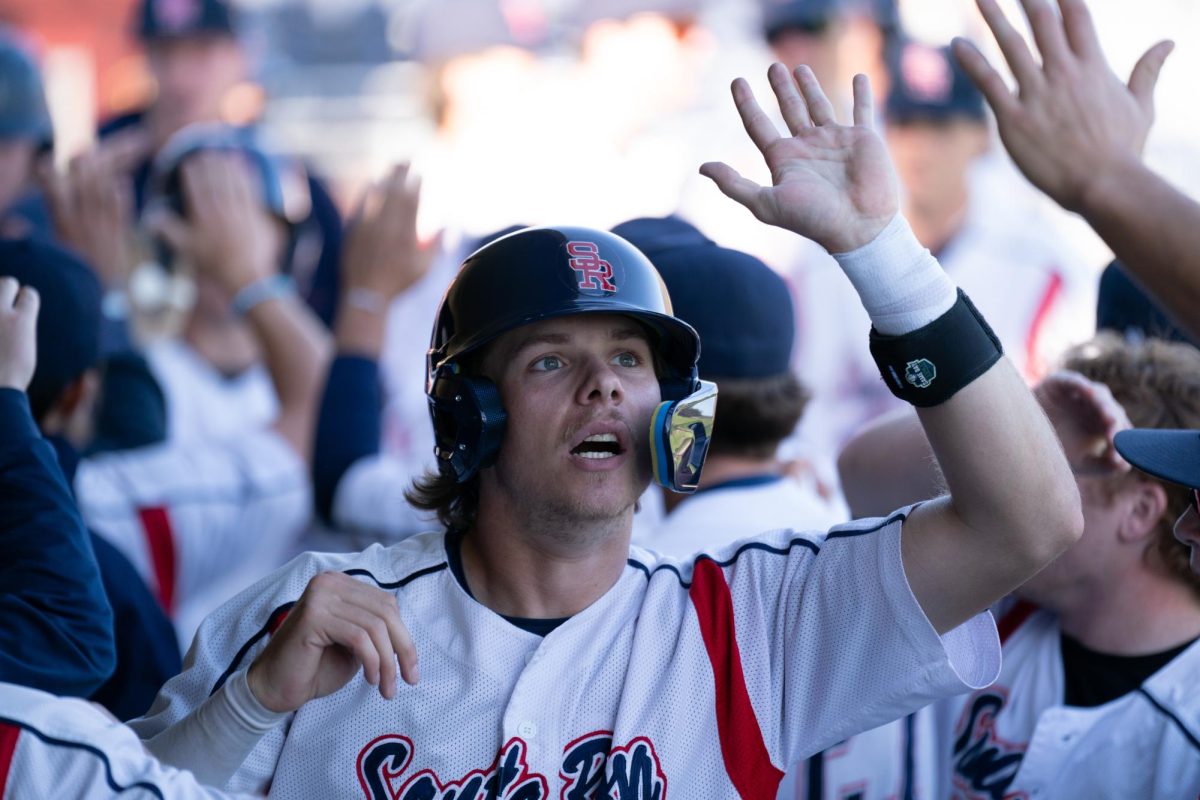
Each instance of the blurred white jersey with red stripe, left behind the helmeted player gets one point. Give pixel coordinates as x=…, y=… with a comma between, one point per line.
x=200, y=522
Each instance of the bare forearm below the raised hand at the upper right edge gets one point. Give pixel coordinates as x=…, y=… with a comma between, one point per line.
x=1154, y=230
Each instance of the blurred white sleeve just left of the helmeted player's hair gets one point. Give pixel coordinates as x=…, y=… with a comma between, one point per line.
x=370, y=500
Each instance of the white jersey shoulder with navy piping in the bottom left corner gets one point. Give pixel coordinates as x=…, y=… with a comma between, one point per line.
x=67, y=749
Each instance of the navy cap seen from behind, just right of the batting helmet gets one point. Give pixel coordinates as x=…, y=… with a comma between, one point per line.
x=740, y=306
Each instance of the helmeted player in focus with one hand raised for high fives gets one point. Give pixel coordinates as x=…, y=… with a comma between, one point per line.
x=554, y=354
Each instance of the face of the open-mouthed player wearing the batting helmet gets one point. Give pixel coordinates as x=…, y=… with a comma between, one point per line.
x=580, y=393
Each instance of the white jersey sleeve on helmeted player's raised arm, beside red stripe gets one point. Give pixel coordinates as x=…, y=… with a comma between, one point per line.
x=832, y=639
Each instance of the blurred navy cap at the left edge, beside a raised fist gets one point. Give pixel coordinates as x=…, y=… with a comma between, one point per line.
x=69, y=321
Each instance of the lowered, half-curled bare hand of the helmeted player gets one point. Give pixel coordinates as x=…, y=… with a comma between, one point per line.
x=338, y=627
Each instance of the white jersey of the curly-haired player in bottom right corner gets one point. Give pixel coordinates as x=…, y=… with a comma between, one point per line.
x=1017, y=739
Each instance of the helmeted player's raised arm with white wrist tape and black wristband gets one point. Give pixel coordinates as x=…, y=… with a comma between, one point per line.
x=1013, y=504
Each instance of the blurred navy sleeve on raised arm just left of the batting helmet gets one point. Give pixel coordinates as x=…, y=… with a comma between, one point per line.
x=349, y=426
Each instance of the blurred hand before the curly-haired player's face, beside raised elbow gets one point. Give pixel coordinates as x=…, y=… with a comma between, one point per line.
x=1087, y=418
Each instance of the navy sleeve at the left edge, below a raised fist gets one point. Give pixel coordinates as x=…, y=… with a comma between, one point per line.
x=56, y=623
